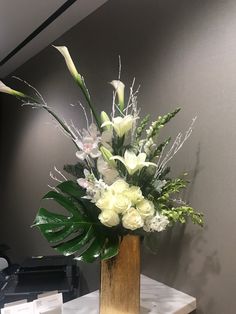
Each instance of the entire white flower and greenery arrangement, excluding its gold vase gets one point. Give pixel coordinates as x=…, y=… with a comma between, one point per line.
x=122, y=183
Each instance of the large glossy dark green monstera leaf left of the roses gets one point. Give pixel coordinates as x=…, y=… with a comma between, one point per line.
x=79, y=232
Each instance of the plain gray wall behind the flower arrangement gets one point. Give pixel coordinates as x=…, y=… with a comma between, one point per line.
x=181, y=52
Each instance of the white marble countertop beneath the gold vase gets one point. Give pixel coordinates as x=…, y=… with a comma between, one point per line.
x=156, y=298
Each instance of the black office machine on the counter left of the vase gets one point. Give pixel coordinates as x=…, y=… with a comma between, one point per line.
x=37, y=275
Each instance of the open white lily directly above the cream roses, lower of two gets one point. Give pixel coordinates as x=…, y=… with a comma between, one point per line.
x=134, y=162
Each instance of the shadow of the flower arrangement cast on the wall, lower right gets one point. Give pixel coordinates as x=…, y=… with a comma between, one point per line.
x=182, y=260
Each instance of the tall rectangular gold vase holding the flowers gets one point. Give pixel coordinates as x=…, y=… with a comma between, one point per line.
x=120, y=279
